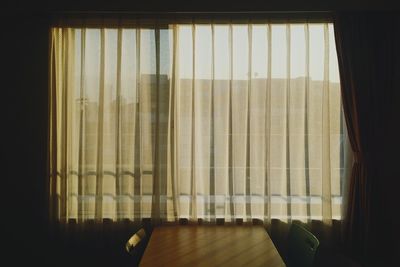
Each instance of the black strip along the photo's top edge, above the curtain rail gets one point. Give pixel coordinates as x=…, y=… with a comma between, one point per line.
x=204, y=5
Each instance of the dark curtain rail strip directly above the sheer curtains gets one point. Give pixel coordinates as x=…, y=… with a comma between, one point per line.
x=122, y=18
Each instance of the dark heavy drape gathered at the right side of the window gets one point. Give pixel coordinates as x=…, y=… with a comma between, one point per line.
x=368, y=48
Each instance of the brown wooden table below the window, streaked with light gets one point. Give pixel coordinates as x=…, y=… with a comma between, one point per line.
x=220, y=245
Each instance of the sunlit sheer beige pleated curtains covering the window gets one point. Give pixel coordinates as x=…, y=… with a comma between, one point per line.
x=196, y=121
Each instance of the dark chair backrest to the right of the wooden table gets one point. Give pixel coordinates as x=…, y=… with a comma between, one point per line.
x=302, y=246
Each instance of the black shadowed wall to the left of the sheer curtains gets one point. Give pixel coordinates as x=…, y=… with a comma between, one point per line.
x=24, y=80
